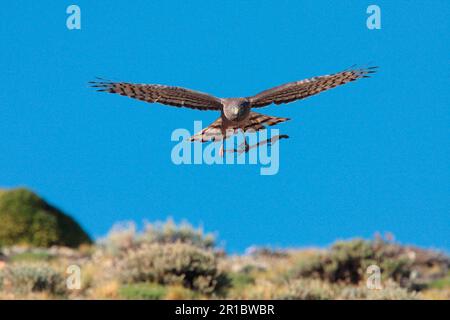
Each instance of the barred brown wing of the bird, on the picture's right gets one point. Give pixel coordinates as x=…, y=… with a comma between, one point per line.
x=305, y=88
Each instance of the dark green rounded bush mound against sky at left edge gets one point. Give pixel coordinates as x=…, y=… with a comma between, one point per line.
x=27, y=219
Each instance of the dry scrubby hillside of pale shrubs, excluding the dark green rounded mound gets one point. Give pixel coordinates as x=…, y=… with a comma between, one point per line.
x=169, y=261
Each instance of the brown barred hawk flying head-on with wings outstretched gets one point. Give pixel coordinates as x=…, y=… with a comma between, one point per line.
x=235, y=113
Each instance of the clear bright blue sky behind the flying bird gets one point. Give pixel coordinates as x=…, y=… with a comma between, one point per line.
x=370, y=156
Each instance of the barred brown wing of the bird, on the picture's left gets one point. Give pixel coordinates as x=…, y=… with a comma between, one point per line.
x=173, y=96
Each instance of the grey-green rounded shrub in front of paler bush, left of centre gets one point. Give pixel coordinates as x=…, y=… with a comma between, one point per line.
x=176, y=263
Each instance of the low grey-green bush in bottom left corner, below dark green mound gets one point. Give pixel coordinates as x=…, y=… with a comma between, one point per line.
x=25, y=279
